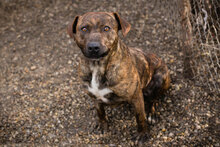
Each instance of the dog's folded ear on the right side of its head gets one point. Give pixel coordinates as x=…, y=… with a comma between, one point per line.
x=122, y=24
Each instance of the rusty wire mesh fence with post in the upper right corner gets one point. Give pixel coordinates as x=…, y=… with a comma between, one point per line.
x=201, y=36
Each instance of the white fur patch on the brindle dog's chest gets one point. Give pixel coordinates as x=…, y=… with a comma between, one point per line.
x=94, y=87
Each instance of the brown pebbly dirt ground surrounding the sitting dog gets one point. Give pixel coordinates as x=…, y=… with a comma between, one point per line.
x=41, y=101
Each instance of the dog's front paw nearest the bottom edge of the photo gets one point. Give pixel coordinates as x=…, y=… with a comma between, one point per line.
x=140, y=138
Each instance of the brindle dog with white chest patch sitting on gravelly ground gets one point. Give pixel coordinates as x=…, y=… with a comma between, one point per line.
x=115, y=73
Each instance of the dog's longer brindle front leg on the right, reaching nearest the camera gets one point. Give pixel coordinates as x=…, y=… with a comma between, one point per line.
x=143, y=130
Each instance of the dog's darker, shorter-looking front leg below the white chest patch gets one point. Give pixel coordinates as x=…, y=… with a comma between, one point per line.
x=103, y=123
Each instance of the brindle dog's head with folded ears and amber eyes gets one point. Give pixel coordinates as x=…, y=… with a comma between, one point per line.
x=96, y=33
